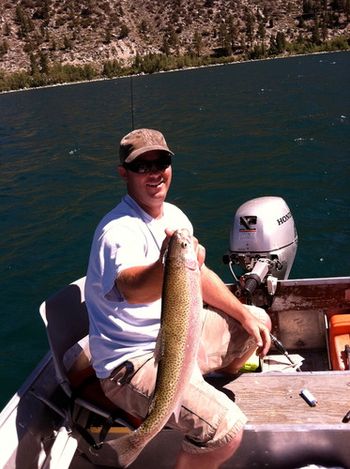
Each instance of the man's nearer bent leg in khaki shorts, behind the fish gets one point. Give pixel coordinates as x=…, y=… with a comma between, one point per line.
x=211, y=422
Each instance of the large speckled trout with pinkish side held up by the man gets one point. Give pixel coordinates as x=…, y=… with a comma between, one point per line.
x=177, y=344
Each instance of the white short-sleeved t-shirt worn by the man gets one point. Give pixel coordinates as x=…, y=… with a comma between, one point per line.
x=127, y=236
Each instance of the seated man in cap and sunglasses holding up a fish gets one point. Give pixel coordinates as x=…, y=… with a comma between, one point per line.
x=123, y=296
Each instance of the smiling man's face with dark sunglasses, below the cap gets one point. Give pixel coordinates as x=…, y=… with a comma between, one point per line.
x=148, y=188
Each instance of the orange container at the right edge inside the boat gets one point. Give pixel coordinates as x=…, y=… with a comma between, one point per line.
x=339, y=337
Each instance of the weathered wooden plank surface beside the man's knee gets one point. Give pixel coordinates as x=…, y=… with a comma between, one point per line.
x=273, y=398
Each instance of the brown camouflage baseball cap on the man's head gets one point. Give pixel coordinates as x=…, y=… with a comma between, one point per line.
x=140, y=141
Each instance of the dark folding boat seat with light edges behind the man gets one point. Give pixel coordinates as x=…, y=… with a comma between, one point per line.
x=67, y=325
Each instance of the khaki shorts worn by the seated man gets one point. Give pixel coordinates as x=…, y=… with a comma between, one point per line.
x=208, y=417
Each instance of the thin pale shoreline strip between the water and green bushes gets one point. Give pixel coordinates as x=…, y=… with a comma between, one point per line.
x=234, y=62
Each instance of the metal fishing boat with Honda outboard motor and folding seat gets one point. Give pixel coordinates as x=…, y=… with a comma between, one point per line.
x=297, y=399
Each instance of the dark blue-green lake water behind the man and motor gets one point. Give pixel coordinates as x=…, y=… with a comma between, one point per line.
x=240, y=131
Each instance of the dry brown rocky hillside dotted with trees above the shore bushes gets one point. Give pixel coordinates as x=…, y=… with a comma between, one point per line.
x=37, y=33
